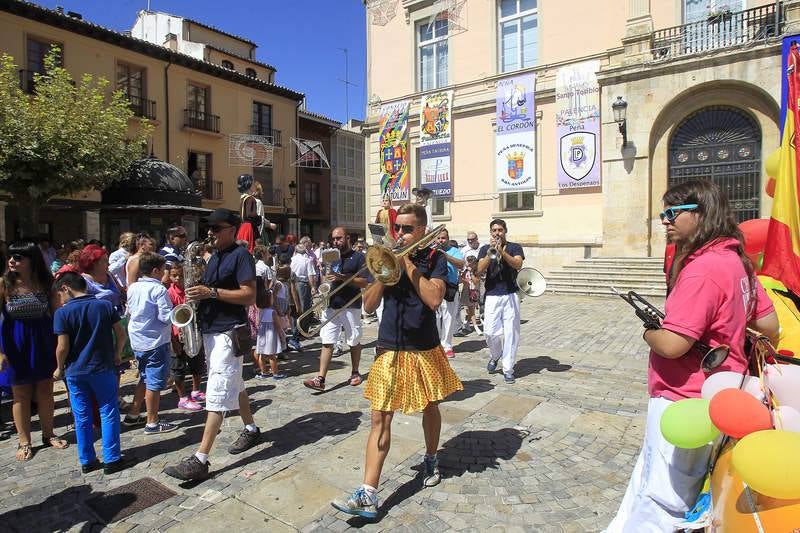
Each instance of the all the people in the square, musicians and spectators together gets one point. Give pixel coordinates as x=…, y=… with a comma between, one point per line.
x=83, y=313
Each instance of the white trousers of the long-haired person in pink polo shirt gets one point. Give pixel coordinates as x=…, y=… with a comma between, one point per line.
x=665, y=481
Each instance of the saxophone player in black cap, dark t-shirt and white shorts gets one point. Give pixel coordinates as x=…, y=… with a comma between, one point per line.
x=228, y=288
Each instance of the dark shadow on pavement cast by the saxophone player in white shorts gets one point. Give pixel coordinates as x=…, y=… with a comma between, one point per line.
x=306, y=429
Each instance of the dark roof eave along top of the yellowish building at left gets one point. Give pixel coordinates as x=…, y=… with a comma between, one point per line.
x=88, y=29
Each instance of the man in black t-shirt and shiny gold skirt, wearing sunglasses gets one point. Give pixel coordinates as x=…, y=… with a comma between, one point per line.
x=411, y=371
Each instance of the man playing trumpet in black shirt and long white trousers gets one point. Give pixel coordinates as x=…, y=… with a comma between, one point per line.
x=501, y=260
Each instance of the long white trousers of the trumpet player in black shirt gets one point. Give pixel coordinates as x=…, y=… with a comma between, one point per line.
x=501, y=328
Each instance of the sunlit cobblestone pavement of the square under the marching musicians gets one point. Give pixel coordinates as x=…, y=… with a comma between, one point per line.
x=551, y=452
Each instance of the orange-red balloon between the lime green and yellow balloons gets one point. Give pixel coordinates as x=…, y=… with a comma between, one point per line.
x=737, y=413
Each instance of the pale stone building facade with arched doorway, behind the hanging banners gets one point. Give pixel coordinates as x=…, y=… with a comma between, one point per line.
x=702, y=87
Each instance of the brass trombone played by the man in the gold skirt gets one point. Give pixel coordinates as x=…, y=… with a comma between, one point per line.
x=384, y=265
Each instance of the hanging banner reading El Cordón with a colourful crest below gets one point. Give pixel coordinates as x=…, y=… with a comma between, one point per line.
x=515, y=137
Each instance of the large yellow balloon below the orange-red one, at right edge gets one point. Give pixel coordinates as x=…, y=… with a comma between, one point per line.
x=769, y=463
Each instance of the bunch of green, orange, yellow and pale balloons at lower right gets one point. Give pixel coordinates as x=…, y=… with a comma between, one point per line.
x=763, y=412
